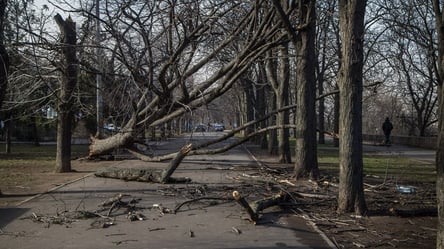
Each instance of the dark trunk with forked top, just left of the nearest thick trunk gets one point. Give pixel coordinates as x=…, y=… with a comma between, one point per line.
x=306, y=164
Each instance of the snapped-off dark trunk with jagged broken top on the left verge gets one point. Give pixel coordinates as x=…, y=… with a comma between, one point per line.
x=66, y=99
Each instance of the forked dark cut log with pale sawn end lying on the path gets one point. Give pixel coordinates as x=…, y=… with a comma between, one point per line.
x=255, y=207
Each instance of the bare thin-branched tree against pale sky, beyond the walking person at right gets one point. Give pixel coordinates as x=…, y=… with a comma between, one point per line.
x=411, y=36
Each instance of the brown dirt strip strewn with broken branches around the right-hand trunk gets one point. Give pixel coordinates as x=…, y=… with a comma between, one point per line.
x=394, y=220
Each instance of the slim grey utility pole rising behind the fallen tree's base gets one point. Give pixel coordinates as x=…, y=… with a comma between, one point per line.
x=99, y=100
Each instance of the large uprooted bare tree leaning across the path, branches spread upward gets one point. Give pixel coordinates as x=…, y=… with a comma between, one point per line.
x=162, y=92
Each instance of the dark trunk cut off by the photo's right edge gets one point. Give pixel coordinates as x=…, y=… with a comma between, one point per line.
x=440, y=143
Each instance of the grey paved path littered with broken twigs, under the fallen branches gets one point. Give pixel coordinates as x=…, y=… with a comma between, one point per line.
x=201, y=224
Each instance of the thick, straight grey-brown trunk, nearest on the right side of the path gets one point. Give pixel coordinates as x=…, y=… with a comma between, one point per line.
x=351, y=190
